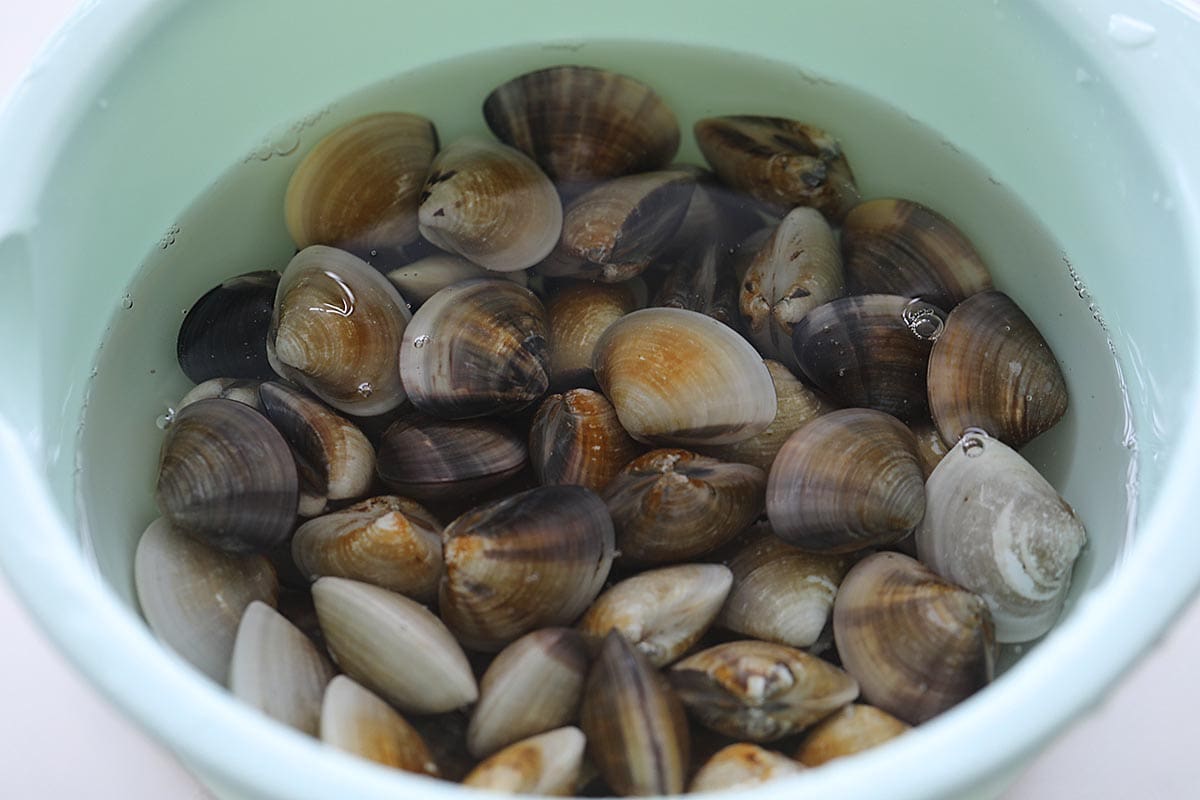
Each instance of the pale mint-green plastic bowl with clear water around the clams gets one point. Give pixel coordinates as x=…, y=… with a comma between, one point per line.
x=140, y=109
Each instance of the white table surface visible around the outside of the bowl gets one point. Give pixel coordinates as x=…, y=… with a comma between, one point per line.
x=61, y=739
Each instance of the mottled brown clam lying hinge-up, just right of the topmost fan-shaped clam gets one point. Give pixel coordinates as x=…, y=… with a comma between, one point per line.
x=779, y=161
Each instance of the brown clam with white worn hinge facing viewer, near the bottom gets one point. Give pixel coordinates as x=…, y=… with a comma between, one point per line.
x=760, y=691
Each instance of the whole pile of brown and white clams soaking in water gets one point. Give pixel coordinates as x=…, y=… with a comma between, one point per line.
x=551, y=466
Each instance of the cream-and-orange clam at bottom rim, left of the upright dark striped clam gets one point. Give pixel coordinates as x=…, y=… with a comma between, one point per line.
x=547, y=765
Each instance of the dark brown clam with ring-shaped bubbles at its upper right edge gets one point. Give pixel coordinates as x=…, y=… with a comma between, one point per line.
x=871, y=352
